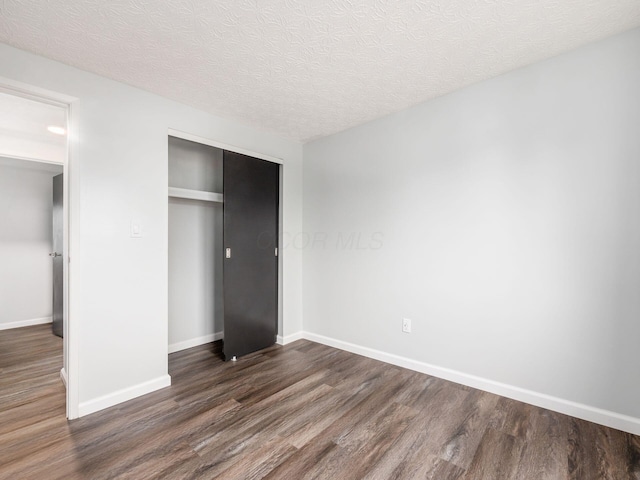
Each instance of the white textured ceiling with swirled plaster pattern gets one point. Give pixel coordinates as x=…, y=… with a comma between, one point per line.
x=306, y=68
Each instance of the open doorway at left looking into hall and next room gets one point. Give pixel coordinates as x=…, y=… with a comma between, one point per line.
x=34, y=151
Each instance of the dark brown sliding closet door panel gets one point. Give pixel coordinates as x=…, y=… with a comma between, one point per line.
x=251, y=189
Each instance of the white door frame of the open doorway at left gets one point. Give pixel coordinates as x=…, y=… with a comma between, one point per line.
x=69, y=373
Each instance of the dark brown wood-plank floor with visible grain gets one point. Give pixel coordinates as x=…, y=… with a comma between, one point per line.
x=295, y=412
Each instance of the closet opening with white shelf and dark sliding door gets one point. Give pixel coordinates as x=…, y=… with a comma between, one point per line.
x=223, y=239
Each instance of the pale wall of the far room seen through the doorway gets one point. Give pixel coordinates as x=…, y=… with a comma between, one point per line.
x=25, y=242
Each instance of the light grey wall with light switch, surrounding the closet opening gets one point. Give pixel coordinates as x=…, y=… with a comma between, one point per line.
x=118, y=173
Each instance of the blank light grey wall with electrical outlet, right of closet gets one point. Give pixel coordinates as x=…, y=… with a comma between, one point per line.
x=503, y=219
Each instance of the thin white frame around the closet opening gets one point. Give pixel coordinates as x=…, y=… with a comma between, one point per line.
x=262, y=156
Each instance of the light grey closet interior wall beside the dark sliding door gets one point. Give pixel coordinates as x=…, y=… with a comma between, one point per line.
x=195, y=245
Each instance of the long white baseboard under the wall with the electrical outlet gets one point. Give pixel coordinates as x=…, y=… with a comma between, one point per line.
x=585, y=412
